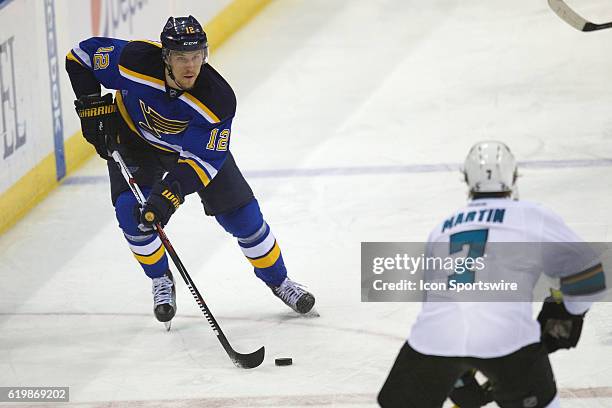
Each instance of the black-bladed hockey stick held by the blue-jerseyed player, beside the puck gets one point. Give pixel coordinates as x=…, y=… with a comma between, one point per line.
x=251, y=360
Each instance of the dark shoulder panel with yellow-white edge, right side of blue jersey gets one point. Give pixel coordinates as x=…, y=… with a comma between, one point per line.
x=212, y=96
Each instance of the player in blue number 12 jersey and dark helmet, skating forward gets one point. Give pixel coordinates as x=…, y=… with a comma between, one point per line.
x=171, y=121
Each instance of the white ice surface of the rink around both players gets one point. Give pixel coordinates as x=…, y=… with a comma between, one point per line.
x=353, y=117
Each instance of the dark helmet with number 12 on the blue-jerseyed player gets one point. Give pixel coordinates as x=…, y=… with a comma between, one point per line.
x=183, y=34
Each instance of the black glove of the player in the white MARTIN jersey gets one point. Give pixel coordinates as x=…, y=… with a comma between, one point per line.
x=560, y=328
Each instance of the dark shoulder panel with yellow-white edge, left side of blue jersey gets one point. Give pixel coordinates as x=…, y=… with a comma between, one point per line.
x=141, y=61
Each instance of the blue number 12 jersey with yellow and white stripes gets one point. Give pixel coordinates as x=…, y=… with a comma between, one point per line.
x=194, y=124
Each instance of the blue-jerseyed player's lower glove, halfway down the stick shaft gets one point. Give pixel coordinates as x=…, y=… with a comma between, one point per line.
x=163, y=201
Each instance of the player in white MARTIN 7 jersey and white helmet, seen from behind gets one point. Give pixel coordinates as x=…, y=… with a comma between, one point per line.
x=500, y=339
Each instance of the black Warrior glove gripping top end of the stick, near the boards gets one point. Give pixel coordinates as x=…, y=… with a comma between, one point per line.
x=99, y=119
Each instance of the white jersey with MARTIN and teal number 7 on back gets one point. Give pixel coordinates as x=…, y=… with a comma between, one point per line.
x=494, y=329
